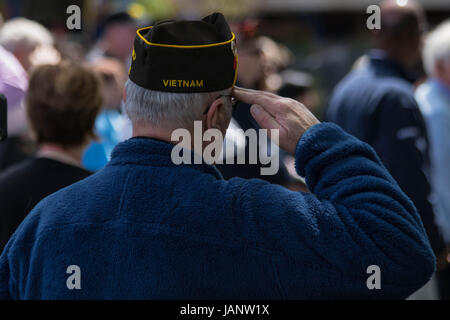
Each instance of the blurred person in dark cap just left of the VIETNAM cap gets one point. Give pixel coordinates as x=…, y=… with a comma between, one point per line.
x=116, y=39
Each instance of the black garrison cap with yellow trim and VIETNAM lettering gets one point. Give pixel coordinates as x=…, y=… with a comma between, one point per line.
x=185, y=56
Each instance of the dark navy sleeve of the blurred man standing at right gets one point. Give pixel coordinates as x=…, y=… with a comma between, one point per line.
x=402, y=145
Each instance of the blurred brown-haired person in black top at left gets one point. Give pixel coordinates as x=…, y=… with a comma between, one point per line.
x=62, y=103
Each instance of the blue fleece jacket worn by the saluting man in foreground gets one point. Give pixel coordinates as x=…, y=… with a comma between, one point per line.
x=144, y=228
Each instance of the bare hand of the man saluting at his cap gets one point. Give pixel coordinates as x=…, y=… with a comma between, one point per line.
x=290, y=117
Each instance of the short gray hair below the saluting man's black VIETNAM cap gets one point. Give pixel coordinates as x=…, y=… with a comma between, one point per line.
x=167, y=109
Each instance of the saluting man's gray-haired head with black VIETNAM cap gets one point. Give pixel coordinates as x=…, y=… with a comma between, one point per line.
x=180, y=68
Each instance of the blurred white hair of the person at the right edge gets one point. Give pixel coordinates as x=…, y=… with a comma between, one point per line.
x=437, y=47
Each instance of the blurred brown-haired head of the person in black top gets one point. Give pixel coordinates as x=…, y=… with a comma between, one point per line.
x=62, y=103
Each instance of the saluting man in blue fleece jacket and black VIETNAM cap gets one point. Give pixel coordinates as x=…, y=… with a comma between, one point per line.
x=149, y=227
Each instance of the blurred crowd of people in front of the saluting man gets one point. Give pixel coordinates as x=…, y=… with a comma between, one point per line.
x=65, y=110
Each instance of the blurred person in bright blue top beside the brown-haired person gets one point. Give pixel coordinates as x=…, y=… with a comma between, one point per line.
x=111, y=126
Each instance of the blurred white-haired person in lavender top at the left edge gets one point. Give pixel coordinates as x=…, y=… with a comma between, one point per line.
x=23, y=45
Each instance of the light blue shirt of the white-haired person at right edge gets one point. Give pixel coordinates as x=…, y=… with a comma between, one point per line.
x=433, y=98
